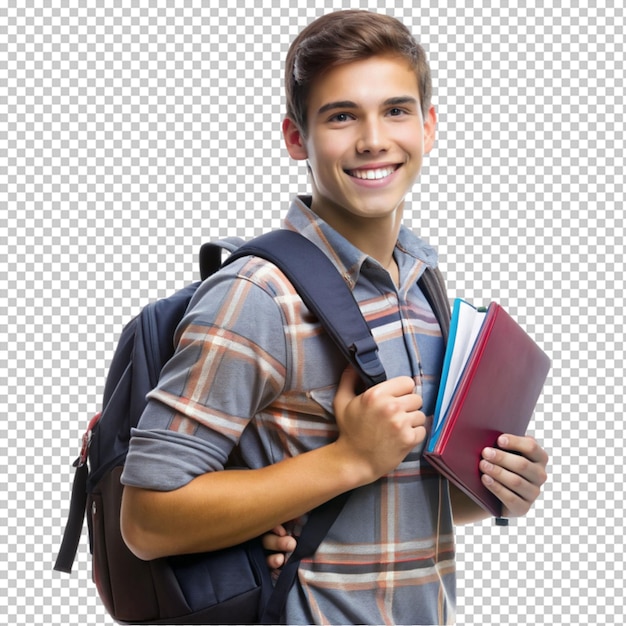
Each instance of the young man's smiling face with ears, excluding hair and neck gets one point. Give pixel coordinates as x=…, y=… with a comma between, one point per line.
x=365, y=141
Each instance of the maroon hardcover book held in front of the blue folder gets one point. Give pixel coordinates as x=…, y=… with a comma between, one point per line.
x=496, y=393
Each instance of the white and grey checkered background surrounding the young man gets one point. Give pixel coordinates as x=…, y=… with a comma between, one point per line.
x=130, y=132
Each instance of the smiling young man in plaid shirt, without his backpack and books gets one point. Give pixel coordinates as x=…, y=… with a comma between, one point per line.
x=256, y=382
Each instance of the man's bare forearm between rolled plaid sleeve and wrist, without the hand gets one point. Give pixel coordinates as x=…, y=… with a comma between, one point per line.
x=221, y=509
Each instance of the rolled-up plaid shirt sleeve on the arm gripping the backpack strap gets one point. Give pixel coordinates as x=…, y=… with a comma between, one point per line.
x=229, y=364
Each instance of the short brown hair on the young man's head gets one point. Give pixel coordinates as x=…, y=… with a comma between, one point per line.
x=343, y=37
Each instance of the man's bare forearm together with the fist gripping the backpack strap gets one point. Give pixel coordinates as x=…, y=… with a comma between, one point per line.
x=377, y=429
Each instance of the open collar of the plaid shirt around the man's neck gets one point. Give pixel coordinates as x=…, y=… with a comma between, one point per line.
x=346, y=257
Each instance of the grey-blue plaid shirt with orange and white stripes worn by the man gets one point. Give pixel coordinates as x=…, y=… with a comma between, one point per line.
x=253, y=379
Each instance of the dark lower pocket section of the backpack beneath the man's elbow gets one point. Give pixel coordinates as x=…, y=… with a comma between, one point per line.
x=227, y=586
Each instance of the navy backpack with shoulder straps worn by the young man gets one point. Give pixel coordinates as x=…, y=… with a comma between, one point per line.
x=231, y=586
